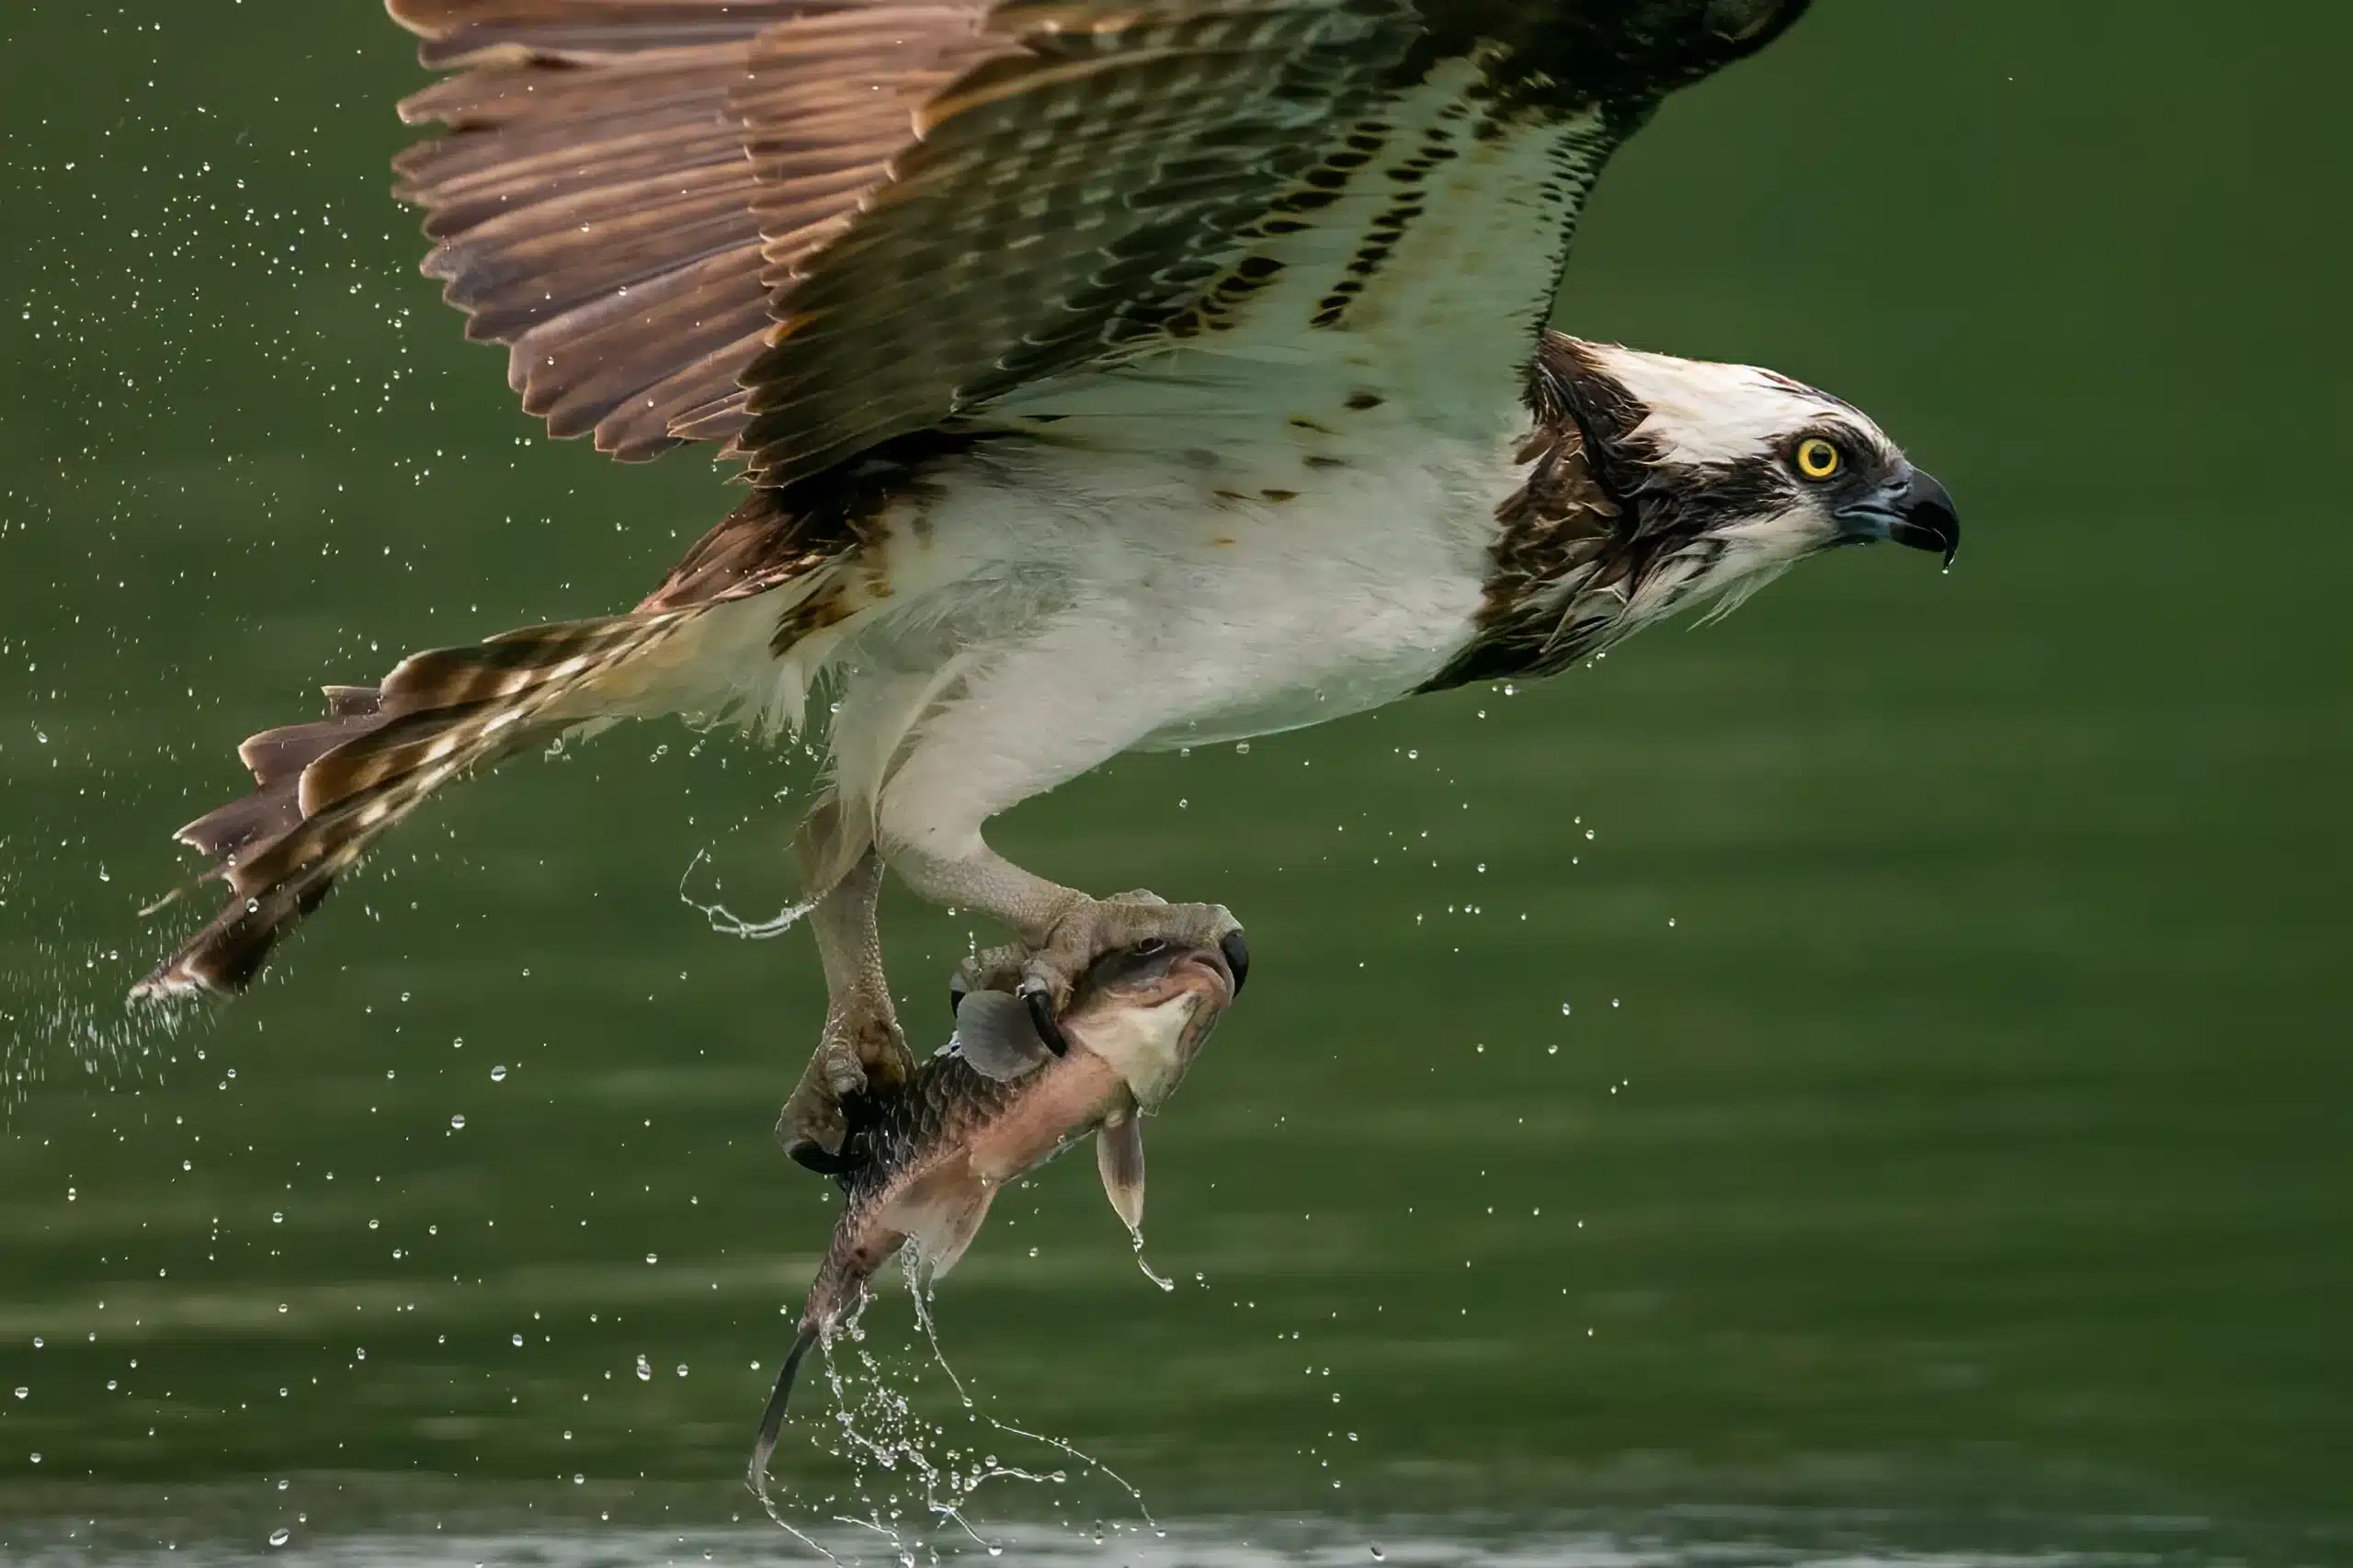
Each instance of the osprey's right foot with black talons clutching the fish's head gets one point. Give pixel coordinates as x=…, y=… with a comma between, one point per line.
x=1060, y=931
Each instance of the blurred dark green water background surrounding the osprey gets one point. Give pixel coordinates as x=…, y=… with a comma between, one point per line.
x=1884, y=1054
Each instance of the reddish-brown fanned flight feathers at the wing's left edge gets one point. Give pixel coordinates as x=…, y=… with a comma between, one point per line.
x=625, y=182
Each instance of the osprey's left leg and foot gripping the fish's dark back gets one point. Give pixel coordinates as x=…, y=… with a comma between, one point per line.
x=862, y=1054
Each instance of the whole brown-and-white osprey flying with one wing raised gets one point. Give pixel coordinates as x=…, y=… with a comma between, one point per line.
x=1107, y=376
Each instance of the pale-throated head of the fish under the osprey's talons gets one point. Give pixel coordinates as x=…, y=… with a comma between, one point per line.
x=1149, y=1009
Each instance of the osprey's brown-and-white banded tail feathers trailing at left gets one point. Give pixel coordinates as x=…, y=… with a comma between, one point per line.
x=328, y=790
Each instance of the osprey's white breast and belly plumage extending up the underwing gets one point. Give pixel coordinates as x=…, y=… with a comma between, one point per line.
x=1227, y=536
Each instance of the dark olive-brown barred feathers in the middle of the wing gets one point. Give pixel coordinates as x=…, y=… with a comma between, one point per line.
x=1060, y=199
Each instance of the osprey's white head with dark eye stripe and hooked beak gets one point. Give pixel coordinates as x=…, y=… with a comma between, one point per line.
x=1721, y=477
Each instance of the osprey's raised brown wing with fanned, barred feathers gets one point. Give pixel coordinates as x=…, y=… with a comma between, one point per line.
x=815, y=225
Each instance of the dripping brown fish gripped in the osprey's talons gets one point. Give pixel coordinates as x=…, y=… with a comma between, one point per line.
x=996, y=1103
